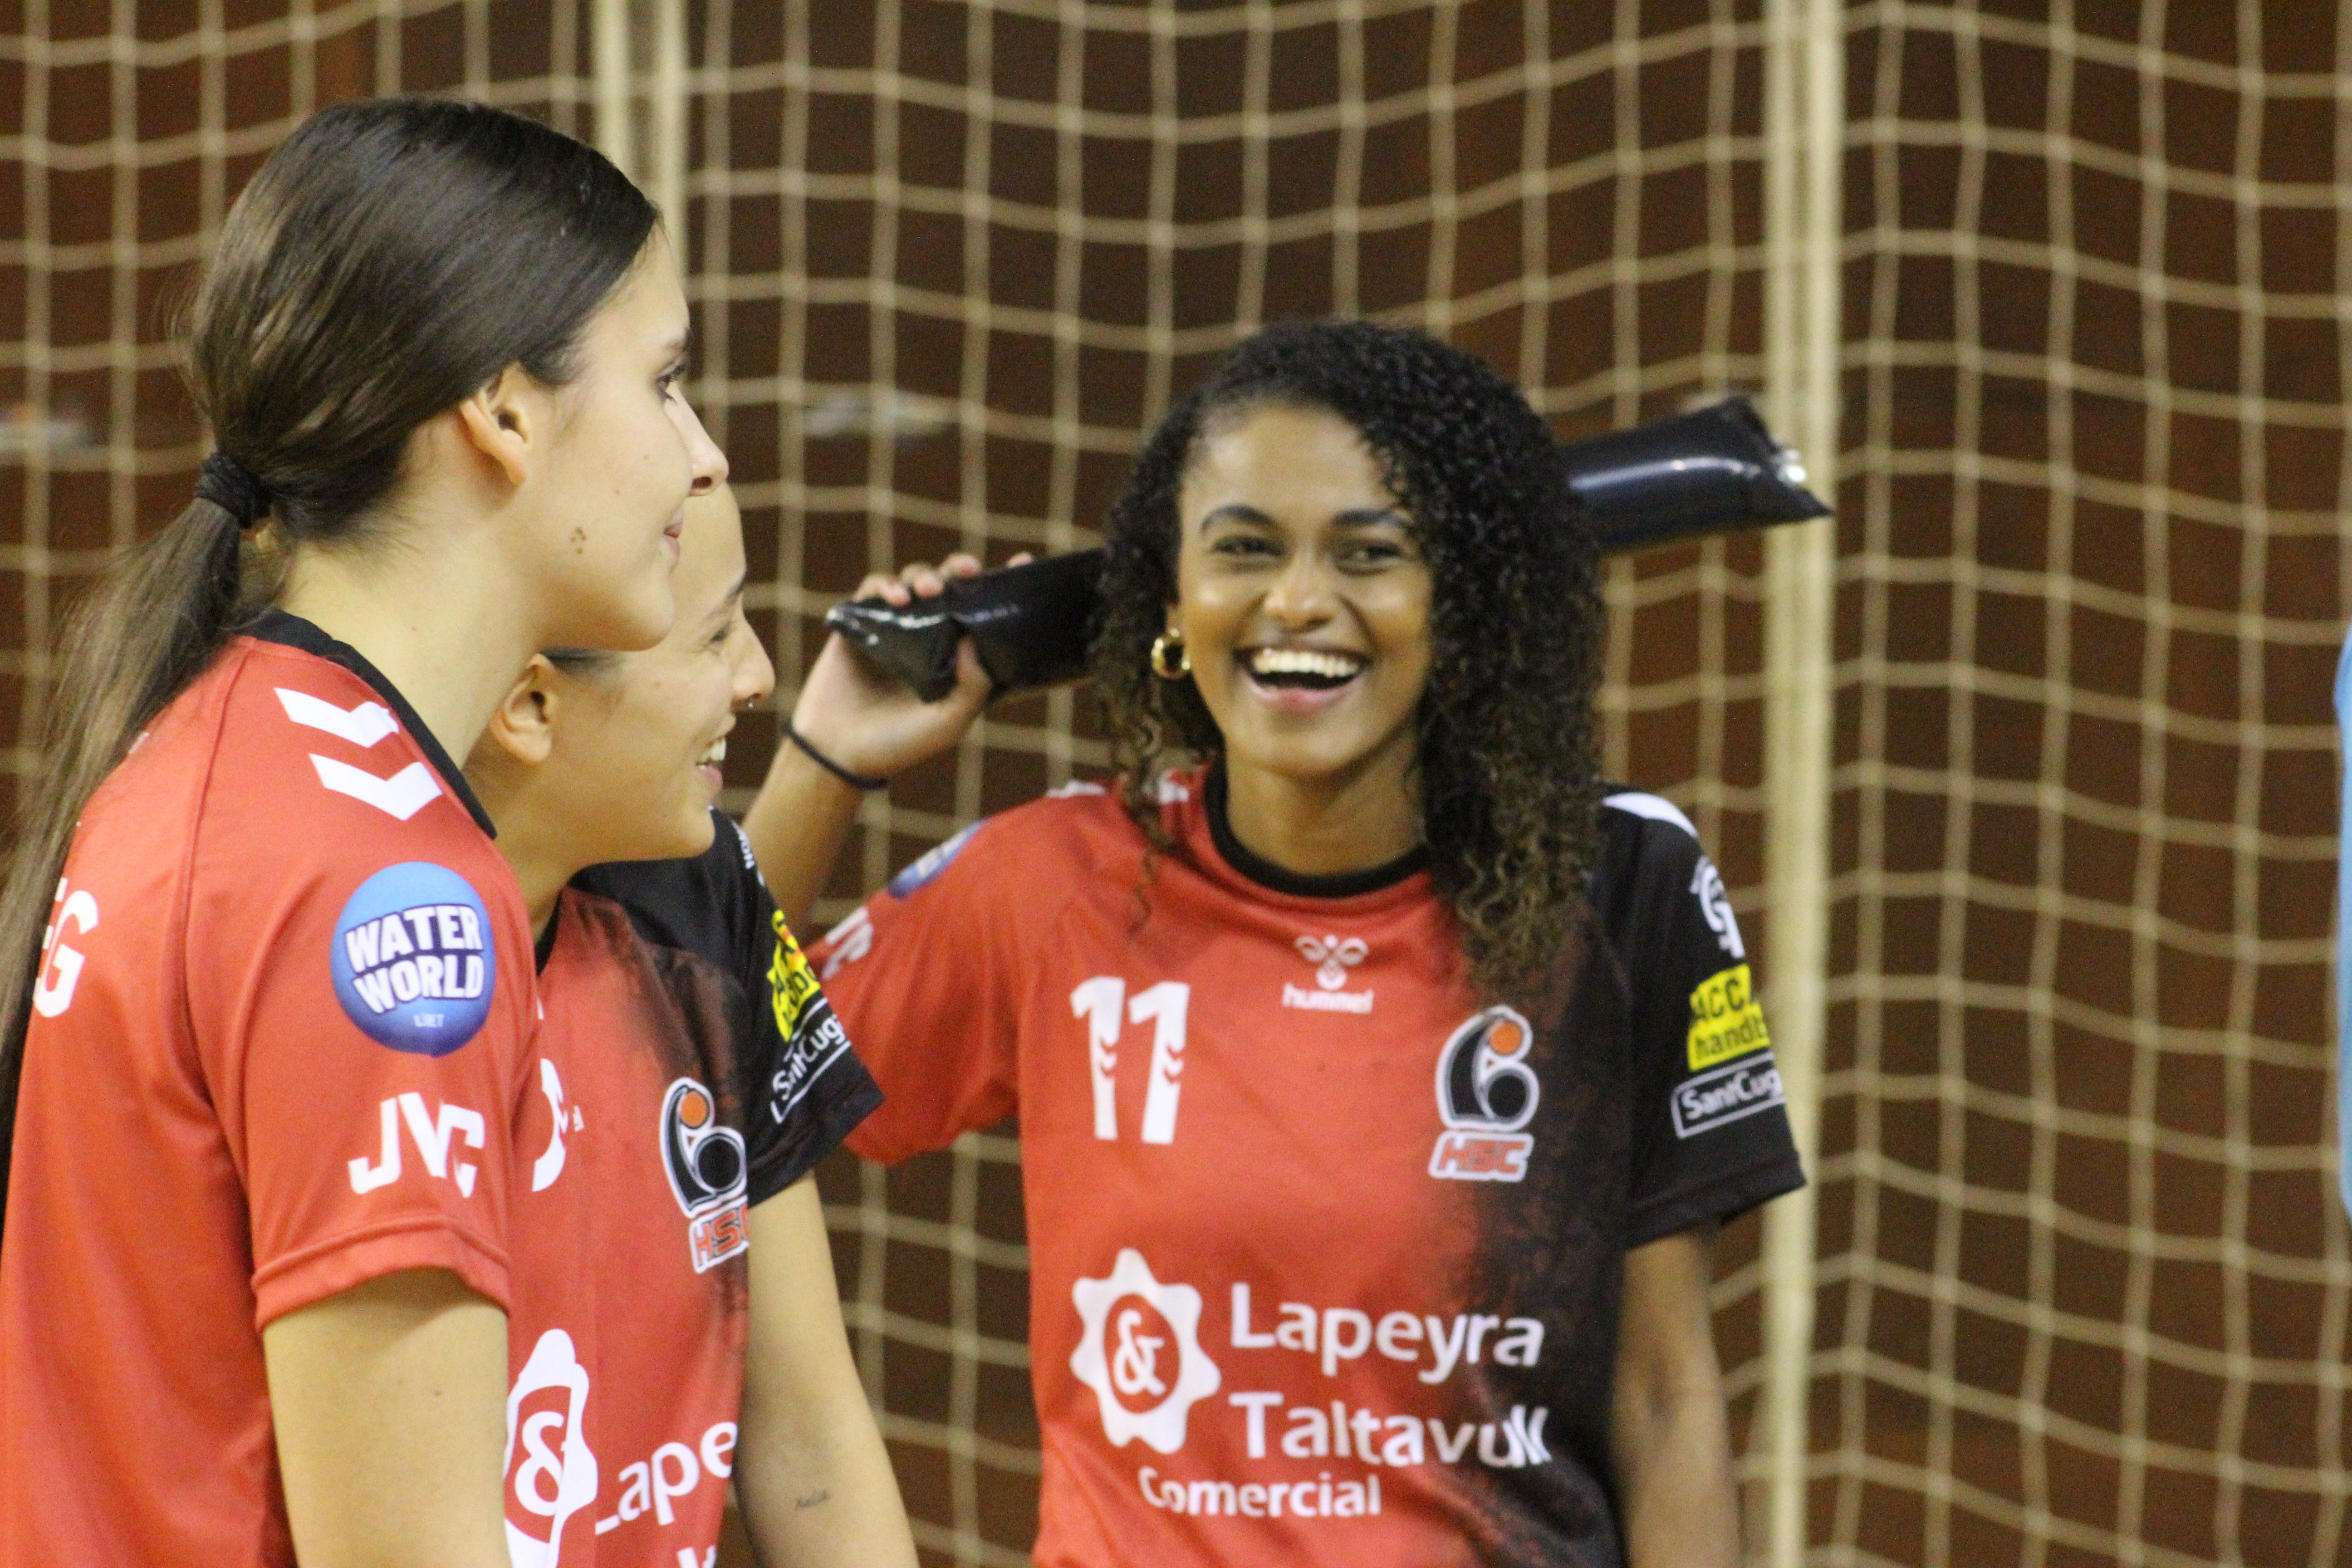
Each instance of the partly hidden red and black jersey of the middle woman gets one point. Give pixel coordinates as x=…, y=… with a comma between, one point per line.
x=688, y=1071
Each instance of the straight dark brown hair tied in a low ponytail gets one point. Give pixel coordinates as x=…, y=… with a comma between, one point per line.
x=385, y=264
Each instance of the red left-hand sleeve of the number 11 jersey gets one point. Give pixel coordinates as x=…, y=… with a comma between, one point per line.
x=926, y=977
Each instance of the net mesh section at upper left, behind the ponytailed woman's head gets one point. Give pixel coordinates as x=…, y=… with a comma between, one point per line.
x=128, y=130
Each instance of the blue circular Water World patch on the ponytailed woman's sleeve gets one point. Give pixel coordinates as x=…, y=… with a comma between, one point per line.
x=413, y=960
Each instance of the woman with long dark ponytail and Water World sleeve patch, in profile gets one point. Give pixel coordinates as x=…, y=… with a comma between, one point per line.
x=265, y=981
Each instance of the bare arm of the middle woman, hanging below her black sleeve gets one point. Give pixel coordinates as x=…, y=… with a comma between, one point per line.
x=813, y=1473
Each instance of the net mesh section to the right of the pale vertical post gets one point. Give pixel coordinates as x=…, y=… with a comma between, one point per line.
x=2083, y=1275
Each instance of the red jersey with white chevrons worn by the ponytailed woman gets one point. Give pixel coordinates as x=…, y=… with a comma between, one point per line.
x=276, y=1052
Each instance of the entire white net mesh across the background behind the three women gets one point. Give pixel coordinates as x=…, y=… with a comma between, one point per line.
x=2083, y=1285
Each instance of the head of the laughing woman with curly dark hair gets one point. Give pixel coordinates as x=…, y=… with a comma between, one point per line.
x=1490, y=756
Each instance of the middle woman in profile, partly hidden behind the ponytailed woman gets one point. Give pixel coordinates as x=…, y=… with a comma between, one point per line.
x=690, y=1076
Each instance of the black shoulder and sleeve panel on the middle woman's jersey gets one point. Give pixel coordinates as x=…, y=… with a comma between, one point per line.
x=801, y=1094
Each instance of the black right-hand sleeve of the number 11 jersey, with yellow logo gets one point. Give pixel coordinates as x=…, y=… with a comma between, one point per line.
x=1711, y=1132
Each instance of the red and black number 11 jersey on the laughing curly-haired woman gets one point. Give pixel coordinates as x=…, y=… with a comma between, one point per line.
x=1325, y=1247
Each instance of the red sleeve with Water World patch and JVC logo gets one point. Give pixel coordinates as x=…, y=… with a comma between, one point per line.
x=361, y=1026
